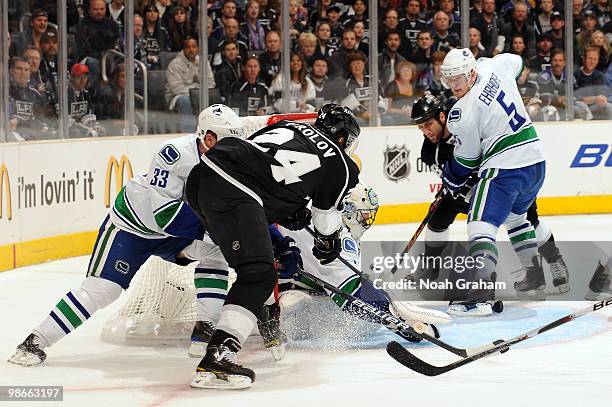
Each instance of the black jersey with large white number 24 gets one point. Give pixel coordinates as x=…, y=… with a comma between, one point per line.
x=287, y=165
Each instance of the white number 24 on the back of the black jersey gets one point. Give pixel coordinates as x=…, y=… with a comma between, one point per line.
x=293, y=163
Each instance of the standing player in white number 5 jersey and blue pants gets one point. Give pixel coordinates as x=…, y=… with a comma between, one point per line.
x=492, y=132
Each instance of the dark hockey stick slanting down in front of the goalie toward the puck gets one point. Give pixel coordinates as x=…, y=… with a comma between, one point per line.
x=384, y=318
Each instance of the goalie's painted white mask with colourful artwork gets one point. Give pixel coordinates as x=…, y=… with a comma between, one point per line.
x=359, y=210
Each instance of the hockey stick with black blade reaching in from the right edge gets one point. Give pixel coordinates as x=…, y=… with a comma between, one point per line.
x=406, y=358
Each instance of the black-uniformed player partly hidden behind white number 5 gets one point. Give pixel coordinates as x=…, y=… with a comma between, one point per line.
x=429, y=115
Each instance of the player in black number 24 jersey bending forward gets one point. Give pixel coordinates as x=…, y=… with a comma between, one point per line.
x=242, y=186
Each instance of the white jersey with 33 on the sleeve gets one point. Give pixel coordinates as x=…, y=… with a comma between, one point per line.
x=151, y=205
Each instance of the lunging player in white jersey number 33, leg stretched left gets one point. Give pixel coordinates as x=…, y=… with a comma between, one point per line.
x=149, y=217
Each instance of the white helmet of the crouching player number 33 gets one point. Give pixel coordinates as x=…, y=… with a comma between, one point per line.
x=221, y=120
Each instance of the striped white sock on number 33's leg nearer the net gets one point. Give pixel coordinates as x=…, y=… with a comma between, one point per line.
x=211, y=290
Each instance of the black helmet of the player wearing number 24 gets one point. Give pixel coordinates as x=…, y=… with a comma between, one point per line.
x=339, y=121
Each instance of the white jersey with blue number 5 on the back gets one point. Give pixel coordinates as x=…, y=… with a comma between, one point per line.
x=490, y=125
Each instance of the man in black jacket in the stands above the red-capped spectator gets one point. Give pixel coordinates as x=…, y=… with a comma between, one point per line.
x=96, y=33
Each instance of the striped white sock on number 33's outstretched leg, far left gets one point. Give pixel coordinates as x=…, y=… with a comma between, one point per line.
x=76, y=307
